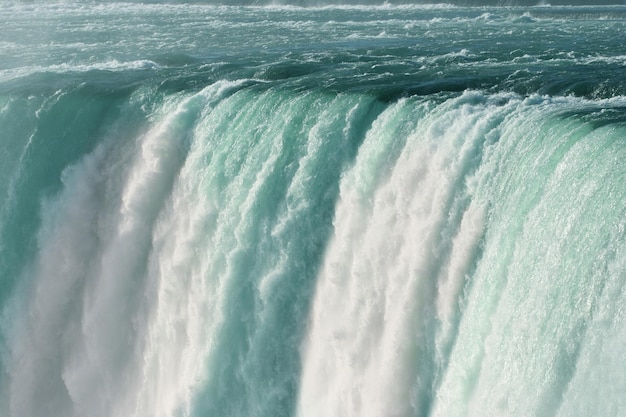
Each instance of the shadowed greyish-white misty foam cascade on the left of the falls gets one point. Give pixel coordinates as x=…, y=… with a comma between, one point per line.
x=84, y=339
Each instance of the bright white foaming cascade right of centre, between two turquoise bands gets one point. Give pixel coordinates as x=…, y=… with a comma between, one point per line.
x=381, y=283
